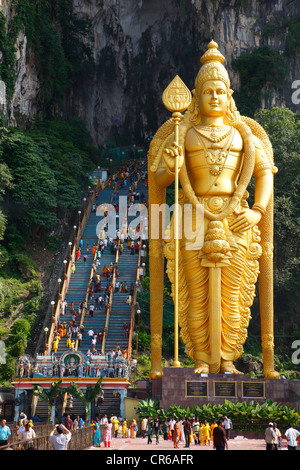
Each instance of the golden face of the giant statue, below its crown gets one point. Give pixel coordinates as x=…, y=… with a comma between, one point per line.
x=213, y=99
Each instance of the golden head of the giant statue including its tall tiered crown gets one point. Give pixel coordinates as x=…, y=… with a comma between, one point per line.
x=212, y=95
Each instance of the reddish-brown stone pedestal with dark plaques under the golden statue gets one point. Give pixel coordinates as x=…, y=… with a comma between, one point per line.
x=181, y=386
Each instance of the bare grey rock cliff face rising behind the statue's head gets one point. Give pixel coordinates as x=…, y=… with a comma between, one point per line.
x=139, y=46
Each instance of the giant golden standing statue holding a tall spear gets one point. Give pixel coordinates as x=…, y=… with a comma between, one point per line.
x=213, y=152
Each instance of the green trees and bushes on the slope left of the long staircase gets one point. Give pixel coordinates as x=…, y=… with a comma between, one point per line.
x=43, y=174
